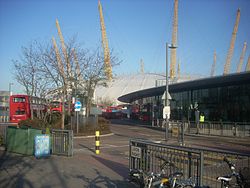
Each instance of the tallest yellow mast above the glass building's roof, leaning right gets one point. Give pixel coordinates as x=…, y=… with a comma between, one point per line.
x=231, y=48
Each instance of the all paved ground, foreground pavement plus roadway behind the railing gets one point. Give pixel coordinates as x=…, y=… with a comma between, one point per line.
x=85, y=169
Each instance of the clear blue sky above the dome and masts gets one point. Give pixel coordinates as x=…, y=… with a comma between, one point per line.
x=136, y=29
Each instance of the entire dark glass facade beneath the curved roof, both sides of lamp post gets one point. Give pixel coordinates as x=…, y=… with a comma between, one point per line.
x=226, y=103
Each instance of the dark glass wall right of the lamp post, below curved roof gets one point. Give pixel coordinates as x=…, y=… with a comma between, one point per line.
x=229, y=103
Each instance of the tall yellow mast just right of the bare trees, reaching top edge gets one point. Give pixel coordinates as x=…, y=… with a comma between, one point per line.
x=107, y=64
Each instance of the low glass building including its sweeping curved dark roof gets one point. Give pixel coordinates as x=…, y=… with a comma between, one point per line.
x=220, y=98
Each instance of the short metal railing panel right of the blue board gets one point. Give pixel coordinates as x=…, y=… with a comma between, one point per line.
x=62, y=142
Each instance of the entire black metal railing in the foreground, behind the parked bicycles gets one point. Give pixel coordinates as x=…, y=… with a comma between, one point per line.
x=203, y=165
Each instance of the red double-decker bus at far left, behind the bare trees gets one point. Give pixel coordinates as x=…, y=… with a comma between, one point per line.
x=22, y=107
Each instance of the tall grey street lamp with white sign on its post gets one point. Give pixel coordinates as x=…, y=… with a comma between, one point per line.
x=166, y=110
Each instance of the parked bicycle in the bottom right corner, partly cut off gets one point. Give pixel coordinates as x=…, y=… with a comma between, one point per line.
x=241, y=182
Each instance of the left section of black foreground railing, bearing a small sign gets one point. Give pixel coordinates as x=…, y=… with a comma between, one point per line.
x=144, y=155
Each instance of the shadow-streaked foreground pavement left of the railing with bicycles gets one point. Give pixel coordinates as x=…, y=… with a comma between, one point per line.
x=81, y=170
